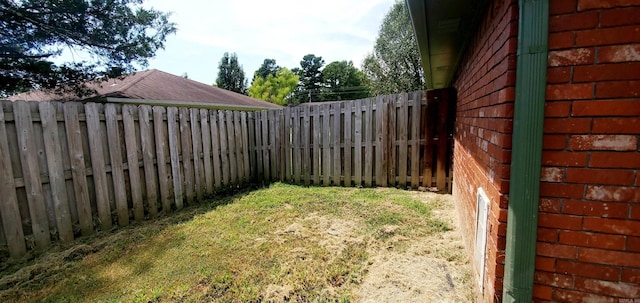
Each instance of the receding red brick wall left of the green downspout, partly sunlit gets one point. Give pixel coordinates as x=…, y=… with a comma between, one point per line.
x=482, y=152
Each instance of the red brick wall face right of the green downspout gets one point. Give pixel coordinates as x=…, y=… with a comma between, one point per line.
x=589, y=224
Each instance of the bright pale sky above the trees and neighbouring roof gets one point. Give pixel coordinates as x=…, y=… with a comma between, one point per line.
x=284, y=30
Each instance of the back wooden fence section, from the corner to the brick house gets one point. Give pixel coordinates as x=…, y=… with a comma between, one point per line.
x=396, y=140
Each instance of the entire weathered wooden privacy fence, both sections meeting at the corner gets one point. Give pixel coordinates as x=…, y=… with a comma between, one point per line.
x=68, y=169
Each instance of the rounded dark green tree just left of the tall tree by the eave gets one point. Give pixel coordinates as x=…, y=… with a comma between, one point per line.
x=342, y=81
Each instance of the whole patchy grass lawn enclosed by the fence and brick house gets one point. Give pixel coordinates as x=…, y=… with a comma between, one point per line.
x=283, y=243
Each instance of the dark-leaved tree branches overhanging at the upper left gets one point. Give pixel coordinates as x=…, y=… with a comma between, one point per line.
x=117, y=35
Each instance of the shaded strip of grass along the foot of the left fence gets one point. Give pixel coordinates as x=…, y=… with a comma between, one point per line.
x=21, y=280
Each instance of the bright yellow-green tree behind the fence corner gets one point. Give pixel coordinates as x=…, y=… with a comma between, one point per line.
x=276, y=89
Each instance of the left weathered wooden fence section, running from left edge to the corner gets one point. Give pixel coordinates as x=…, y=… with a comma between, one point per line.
x=68, y=168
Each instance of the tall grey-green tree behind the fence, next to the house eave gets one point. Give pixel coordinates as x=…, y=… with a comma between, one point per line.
x=394, y=66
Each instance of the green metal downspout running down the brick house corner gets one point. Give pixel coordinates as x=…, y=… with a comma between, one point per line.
x=526, y=157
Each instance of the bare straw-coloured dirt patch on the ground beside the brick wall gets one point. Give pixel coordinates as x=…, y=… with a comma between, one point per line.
x=432, y=269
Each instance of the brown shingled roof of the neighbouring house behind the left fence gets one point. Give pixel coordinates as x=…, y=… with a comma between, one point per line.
x=157, y=88
